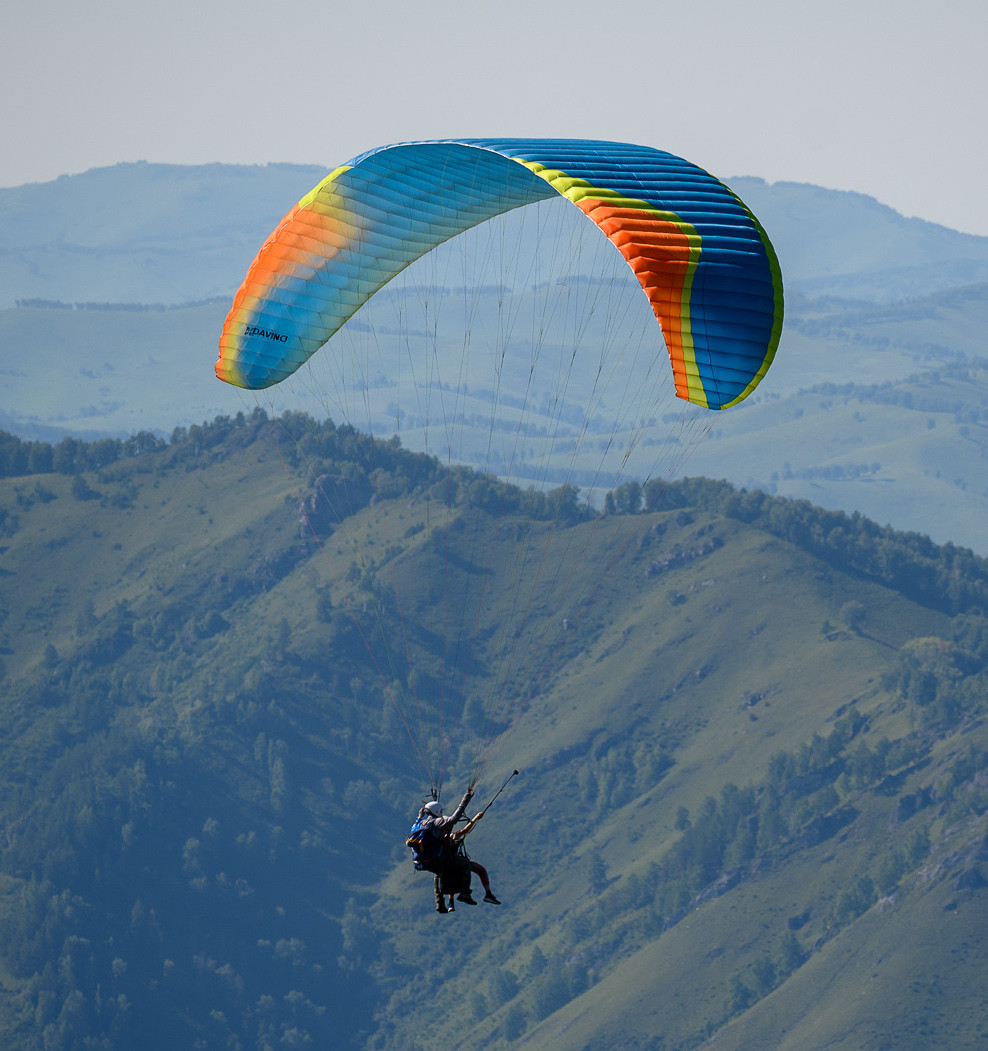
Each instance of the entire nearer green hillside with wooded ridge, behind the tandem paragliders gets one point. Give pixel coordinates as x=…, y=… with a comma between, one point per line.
x=752, y=743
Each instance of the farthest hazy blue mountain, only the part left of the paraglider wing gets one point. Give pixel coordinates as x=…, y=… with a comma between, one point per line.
x=142, y=233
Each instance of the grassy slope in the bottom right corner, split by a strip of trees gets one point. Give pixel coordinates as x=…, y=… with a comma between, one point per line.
x=900, y=977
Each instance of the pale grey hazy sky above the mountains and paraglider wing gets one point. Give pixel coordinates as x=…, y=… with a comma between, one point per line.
x=886, y=97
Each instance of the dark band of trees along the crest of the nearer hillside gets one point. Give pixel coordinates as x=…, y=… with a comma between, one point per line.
x=944, y=578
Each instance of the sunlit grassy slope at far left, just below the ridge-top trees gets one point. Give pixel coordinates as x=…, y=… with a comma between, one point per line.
x=178, y=530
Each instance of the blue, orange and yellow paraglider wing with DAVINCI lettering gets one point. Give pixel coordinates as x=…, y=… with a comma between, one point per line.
x=701, y=256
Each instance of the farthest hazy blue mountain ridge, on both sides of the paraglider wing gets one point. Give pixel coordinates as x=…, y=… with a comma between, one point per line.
x=172, y=234
